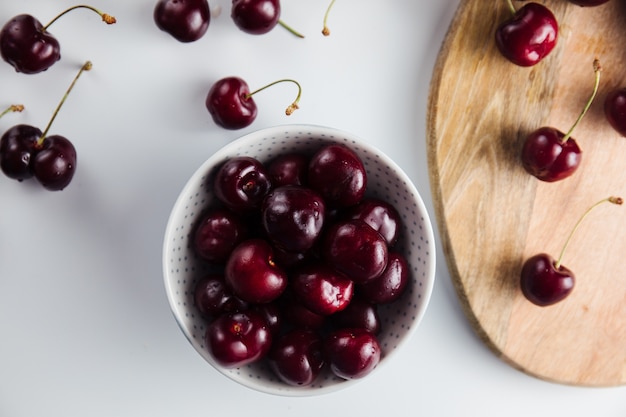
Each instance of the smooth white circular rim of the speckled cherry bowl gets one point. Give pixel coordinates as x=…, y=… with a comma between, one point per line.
x=327, y=133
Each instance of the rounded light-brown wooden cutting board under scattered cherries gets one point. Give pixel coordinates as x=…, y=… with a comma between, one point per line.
x=492, y=215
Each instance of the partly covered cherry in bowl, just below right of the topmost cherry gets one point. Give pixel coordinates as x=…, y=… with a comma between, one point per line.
x=381, y=216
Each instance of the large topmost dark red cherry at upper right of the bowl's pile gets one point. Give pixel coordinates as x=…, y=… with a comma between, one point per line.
x=338, y=174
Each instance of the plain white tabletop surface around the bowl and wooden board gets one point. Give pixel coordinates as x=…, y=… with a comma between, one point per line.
x=85, y=326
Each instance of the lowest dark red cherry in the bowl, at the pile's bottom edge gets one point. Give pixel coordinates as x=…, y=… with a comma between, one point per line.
x=297, y=357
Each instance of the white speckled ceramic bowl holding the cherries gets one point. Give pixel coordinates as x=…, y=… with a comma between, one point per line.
x=385, y=180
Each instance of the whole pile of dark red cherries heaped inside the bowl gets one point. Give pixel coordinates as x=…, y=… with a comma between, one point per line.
x=299, y=261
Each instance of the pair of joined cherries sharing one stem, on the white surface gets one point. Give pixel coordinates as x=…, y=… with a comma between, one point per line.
x=26, y=151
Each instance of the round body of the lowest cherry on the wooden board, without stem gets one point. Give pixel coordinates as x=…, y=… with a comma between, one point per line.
x=542, y=283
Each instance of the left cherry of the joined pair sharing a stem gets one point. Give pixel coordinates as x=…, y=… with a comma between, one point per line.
x=18, y=145
